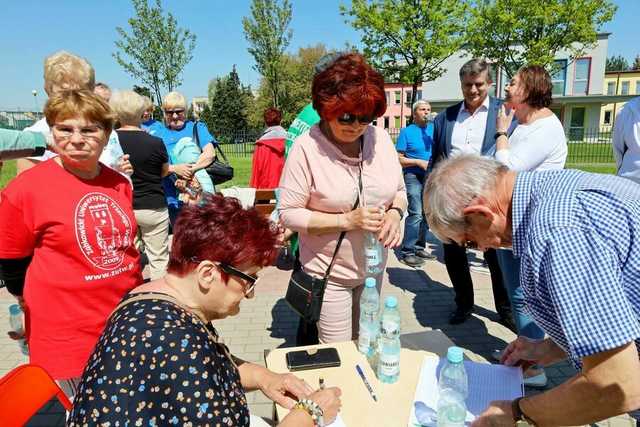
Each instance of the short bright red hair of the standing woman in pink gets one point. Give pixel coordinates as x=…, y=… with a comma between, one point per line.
x=348, y=85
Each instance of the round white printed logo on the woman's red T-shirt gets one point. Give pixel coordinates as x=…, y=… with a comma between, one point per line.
x=103, y=230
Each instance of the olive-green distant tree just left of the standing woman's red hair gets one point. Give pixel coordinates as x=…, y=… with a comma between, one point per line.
x=297, y=74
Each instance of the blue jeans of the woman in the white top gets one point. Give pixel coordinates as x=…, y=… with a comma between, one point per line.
x=510, y=267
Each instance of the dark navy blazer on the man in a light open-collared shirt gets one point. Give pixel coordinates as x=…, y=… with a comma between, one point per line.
x=443, y=129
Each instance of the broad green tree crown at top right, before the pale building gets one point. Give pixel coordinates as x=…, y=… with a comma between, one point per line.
x=516, y=32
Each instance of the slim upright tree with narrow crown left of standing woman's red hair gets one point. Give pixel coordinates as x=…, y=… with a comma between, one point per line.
x=268, y=34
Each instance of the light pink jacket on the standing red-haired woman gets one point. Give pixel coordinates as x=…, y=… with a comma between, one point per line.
x=318, y=177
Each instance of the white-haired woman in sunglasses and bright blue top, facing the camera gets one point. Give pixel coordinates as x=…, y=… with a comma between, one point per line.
x=180, y=133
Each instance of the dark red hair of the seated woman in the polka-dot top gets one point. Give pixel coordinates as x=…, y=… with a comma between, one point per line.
x=220, y=230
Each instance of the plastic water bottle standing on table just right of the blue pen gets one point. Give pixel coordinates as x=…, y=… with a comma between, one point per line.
x=389, y=342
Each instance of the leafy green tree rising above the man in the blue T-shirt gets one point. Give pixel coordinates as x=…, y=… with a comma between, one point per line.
x=408, y=40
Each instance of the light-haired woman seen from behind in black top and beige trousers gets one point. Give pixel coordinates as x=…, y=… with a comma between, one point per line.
x=150, y=164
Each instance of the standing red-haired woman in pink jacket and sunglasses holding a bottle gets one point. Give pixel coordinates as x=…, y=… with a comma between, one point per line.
x=341, y=160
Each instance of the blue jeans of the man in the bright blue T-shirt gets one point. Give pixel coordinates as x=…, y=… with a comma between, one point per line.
x=415, y=226
